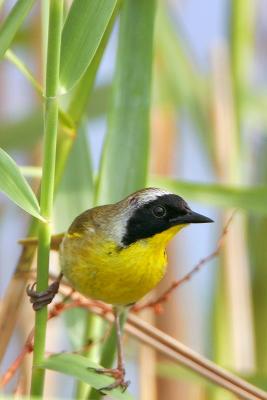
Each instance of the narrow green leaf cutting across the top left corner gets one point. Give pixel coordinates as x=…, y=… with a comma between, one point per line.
x=13, y=22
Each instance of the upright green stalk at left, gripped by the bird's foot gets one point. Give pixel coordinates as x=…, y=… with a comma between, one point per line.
x=47, y=185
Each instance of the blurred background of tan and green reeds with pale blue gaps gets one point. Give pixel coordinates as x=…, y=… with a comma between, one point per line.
x=208, y=127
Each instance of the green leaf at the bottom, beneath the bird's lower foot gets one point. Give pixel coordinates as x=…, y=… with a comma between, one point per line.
x=81, y=368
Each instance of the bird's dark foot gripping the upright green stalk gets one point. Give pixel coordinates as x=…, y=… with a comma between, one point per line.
x=41, y=299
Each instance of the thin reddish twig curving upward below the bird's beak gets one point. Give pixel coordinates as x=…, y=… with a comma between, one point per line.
x=157, y=303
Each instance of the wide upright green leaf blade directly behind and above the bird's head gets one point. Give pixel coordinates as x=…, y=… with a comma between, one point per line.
x=125, y=156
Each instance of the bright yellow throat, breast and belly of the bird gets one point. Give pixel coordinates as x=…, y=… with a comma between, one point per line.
x=100, y=270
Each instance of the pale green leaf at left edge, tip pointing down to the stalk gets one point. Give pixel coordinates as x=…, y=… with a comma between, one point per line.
x=14, y=185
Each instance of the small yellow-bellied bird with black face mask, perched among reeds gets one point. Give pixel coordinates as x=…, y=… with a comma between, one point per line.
x=117, y=254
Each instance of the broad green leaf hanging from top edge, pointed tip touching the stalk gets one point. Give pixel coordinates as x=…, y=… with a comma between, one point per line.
x=85, y=26
